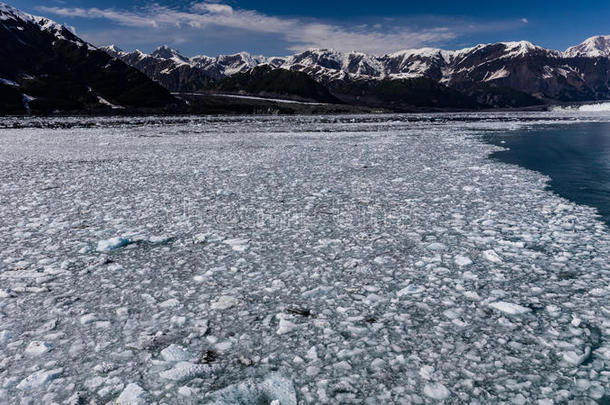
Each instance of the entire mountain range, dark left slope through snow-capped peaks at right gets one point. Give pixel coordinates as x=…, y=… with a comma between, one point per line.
x=45, y=67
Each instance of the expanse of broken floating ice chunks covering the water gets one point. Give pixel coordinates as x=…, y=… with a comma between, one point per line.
x=356, y=259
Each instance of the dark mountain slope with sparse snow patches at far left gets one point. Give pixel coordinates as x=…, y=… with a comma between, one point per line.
x=45, y=68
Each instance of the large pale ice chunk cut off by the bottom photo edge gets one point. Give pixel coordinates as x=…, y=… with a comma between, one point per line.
x=274, y=388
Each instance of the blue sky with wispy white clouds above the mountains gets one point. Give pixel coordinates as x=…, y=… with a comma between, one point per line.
x=283, y=27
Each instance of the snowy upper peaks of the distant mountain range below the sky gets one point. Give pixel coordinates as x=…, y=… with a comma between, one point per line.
x=328, y=65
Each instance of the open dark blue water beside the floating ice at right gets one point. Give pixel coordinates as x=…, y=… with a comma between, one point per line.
x=576, y=158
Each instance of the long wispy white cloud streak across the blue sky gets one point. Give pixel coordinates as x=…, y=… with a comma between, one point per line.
x=299, y=34
